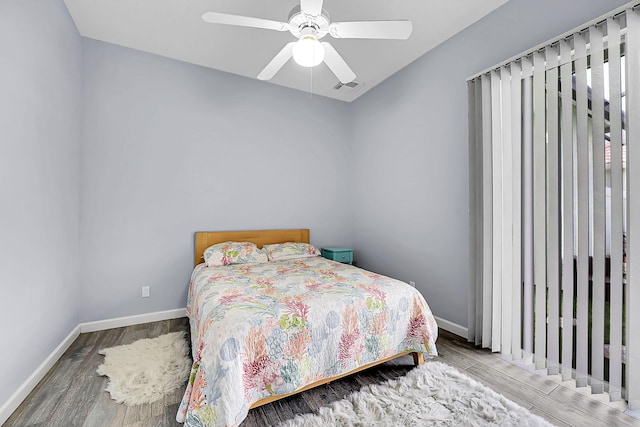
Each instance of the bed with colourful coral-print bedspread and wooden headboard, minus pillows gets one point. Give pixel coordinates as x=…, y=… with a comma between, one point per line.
x=264, y=331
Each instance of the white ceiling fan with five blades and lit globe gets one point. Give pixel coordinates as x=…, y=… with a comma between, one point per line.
x=309, y=23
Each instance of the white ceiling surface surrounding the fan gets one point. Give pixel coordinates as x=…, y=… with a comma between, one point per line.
x=175, y=29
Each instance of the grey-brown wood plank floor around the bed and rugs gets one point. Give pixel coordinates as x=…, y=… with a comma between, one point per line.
x=72, y=394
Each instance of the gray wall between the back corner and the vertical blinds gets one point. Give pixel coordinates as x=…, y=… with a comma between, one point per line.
x=410, y=150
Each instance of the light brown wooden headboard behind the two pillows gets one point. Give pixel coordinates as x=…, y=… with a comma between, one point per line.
x=204, y=239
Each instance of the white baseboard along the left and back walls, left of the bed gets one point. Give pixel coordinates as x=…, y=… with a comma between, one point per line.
x=23, y=391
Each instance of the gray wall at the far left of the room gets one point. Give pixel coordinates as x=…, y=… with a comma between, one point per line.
x=40, y=117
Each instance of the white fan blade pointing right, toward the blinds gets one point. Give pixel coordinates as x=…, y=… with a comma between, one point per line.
x=399, y=30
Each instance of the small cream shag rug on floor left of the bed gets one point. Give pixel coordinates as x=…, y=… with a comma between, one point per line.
x=146, y=370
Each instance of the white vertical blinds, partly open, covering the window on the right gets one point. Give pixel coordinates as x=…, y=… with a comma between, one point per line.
x=554, y=220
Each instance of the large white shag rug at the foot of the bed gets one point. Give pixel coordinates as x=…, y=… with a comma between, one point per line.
x=433, y=394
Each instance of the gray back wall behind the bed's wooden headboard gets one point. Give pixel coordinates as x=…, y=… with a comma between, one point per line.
x=171, y=148
